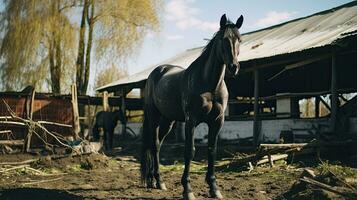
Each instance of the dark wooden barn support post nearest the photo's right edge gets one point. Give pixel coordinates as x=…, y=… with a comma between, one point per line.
x=334, y=94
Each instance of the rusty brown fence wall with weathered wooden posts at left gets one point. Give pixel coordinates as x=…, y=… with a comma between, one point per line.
x=55, y=113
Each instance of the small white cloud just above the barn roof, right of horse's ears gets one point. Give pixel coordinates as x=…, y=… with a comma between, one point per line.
x=274, y=17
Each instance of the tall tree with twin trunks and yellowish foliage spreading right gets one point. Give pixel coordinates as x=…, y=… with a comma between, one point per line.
x=116, y=27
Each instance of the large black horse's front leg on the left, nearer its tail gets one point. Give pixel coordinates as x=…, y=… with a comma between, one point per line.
x=189, y=154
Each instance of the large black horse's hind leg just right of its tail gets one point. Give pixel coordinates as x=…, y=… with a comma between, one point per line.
x=165, y=127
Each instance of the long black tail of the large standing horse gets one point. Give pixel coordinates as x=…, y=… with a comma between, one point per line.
x=146, y=162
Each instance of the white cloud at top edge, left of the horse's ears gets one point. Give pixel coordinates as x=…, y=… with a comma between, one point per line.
x=185, y=15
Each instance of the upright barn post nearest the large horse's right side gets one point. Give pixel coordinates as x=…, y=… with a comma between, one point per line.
x=256, y=128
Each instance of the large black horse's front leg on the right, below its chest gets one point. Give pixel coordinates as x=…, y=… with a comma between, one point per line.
x=213, y=132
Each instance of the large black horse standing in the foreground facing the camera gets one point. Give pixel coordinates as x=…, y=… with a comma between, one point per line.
x=195, y=95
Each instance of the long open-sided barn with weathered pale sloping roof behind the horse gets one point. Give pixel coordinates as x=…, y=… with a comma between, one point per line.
x=313, y=58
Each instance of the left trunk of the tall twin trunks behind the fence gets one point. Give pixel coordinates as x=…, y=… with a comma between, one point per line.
x=81, y=50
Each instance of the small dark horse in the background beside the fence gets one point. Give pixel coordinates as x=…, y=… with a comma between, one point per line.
x=105, y=123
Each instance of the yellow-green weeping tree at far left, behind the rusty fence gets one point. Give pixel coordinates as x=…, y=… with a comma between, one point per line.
x=38, y=41
